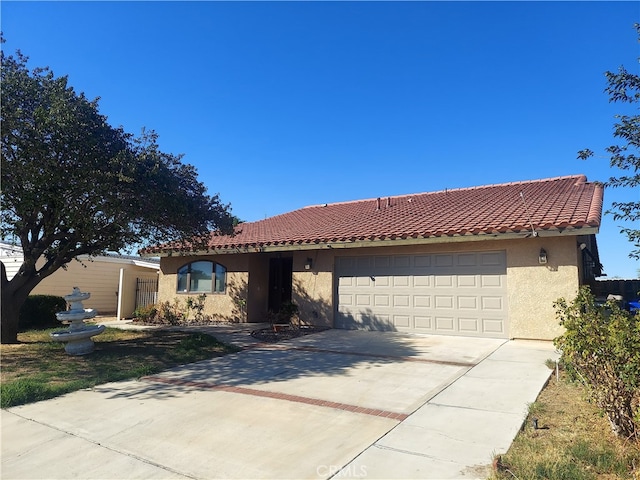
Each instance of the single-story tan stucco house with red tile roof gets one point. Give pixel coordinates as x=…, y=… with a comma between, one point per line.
x=482, y=261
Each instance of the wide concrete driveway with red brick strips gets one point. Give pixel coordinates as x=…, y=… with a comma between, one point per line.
x=343, y=404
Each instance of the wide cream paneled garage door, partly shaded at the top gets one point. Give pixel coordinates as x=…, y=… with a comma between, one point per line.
x=449, y=294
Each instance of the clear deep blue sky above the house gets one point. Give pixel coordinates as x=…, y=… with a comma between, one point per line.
x=280, y=105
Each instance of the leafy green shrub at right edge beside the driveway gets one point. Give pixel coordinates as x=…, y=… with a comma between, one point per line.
x=601, y=347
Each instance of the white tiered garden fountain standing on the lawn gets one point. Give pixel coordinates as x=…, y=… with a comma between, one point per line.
x=78, y=335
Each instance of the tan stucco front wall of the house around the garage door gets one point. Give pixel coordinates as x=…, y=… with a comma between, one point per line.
x=531, y=287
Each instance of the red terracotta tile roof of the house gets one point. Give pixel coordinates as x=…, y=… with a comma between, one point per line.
x=551, y=204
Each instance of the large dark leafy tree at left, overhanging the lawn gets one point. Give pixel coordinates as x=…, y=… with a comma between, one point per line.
x=74, y=185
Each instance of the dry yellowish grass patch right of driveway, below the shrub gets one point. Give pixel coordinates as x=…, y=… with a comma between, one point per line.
x=573, y=441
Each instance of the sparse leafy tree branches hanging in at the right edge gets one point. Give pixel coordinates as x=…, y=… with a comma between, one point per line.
x=623, y=86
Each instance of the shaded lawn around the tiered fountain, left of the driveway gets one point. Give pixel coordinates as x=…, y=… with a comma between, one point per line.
x=38, y=368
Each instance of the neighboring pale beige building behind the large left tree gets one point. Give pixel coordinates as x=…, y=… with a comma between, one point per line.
x=112, y=280
